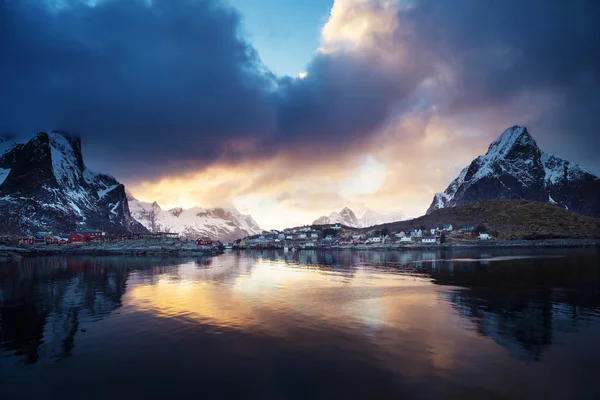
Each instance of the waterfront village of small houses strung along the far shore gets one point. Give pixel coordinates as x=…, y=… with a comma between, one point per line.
x=307, y=237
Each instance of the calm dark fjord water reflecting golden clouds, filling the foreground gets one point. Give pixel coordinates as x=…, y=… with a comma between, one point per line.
x=406, y=325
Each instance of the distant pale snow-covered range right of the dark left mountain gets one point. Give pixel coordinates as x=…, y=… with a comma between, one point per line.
x=226, y=224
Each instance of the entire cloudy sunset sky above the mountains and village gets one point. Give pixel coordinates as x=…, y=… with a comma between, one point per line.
x=292, y=110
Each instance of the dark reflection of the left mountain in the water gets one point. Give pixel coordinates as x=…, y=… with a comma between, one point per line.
x=45, y=301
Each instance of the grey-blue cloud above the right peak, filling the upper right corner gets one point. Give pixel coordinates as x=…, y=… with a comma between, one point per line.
x=500, y=49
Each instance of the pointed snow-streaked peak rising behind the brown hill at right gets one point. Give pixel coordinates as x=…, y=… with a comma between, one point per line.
x=515, y=168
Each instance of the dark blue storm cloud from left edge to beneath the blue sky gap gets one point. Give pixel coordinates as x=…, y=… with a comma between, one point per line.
x=173, y=84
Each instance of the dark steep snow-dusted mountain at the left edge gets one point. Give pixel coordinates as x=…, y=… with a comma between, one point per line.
x=45, y=186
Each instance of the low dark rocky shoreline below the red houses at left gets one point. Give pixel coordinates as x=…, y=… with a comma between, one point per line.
x=133, y=248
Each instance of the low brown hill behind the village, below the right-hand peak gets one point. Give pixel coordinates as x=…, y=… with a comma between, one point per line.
x=508, y=219
